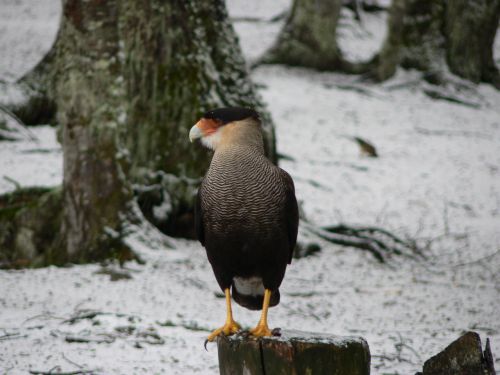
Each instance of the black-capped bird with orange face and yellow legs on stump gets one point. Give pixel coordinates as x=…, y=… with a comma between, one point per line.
x=246, y=214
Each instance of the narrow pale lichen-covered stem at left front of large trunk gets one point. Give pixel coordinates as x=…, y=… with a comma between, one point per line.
x=91, y=106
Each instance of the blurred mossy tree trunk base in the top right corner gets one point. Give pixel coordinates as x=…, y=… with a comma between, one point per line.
x=430, y=35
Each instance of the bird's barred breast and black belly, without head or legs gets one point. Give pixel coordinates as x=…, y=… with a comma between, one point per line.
x=244, y=203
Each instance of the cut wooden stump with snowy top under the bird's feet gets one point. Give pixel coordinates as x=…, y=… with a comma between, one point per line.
x=293, y=353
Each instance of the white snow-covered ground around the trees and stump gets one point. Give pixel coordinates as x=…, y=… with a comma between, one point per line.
x=437, y=179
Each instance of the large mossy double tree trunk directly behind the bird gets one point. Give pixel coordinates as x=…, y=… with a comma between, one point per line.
x=129, y=79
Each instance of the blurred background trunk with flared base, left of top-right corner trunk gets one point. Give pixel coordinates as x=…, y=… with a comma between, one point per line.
x=309, y=38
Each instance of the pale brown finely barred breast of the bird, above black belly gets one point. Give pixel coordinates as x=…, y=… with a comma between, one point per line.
x=243, y=191
